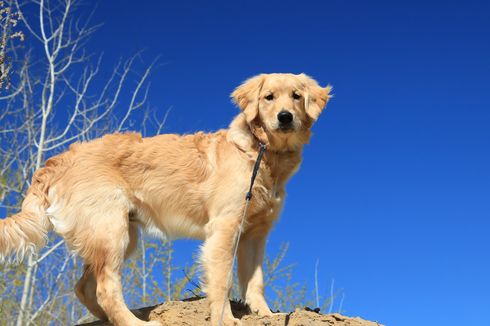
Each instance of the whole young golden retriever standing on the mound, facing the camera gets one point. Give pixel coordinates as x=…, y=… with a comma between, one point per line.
x=97, y=194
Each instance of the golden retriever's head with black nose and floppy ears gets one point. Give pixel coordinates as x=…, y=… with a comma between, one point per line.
x=283, y=106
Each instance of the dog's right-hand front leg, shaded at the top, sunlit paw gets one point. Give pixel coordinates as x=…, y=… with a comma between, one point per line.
x=250, y=273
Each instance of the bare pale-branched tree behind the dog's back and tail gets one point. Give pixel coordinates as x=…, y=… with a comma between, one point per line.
x=56, y=98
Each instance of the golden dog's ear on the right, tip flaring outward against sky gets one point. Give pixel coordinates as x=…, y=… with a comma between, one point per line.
x=316, y=97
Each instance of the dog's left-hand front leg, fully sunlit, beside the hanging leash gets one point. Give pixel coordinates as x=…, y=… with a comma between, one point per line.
x=217, y=257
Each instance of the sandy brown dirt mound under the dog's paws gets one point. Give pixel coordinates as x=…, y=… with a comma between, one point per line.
x=196, y=312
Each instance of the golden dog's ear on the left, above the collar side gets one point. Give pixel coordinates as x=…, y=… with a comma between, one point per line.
x=246, y=96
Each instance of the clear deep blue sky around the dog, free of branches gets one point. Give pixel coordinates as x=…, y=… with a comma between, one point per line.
x=393, y=197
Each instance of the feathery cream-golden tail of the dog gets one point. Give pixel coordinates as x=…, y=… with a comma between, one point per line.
x=27, y=231
